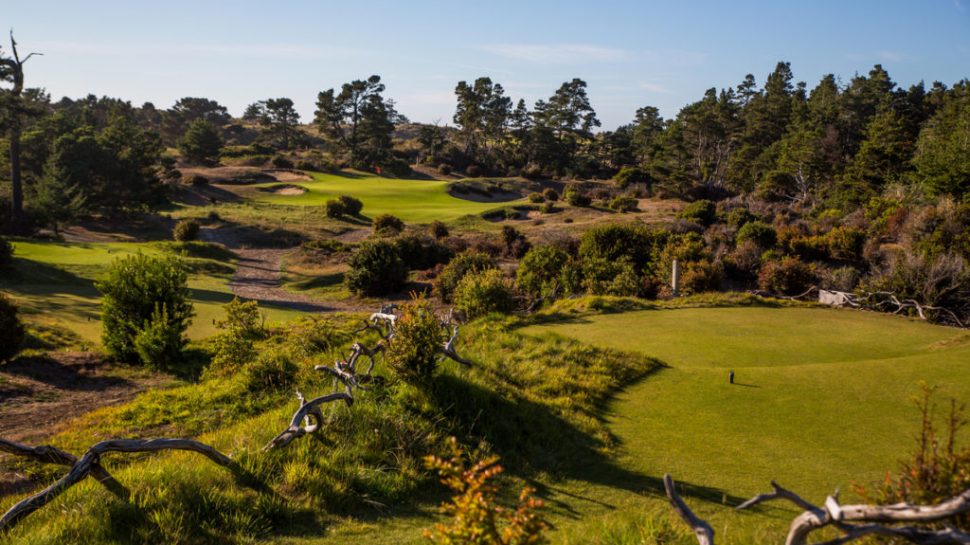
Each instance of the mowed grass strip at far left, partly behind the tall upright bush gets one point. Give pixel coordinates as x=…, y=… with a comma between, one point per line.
x=53, y=283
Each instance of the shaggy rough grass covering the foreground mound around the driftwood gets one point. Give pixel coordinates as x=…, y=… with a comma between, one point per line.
x=538, y=403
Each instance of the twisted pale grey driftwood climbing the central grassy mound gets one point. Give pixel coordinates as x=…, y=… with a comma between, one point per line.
x=308, y=418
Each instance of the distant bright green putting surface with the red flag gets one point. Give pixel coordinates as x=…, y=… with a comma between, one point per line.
x=419, y=201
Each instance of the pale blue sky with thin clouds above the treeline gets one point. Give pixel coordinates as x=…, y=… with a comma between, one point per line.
x=631, y=53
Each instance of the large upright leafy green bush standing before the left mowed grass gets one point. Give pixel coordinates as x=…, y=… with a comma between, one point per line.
x=138, y=292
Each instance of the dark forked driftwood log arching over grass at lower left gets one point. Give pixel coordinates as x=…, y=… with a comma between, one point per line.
x=89, y=464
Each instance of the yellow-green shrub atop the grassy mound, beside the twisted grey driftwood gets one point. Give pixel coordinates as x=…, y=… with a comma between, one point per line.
x=413, y=353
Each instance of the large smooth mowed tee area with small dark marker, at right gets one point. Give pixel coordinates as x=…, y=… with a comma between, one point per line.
x=822, y=396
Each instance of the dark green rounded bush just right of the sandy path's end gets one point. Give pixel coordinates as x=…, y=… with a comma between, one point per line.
x=376, y=268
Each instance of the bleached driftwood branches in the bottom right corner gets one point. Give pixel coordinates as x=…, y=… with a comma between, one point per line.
x=853, y=521
